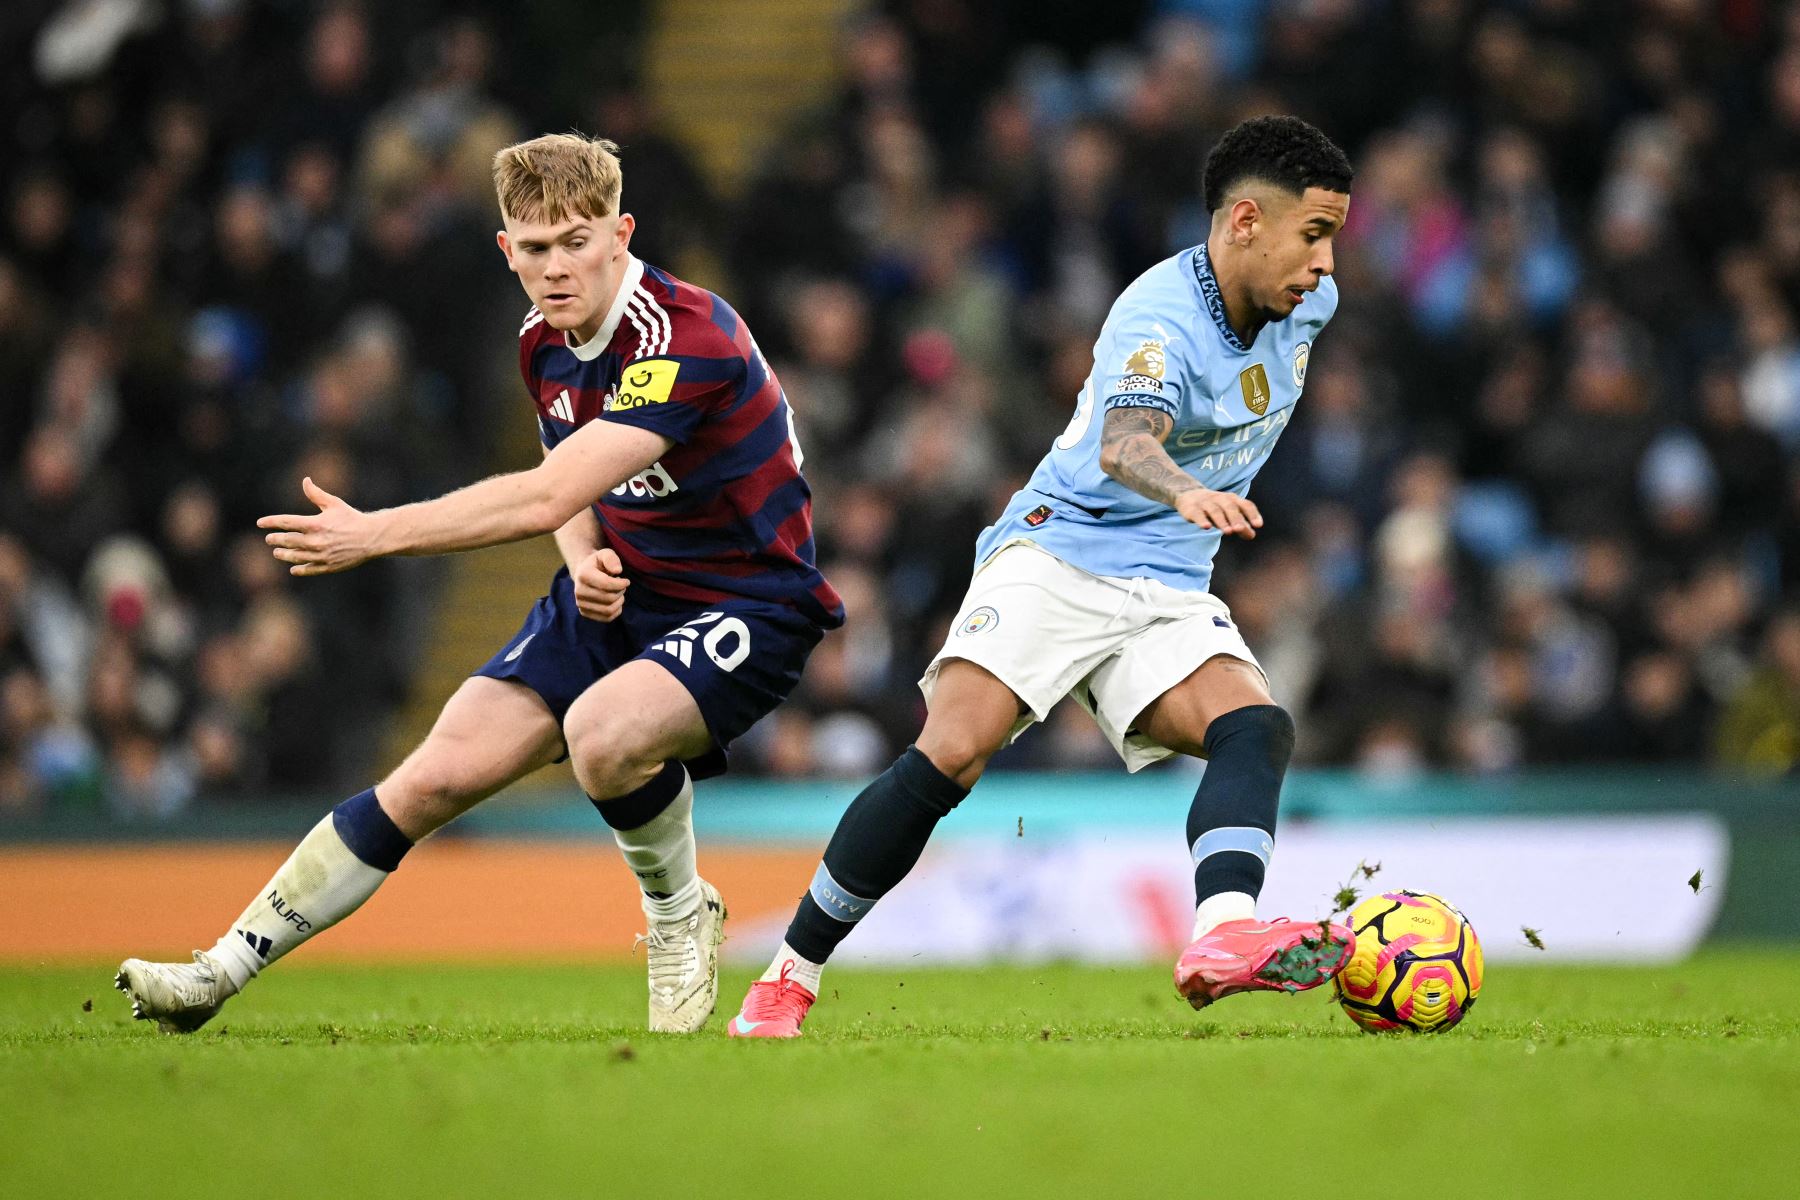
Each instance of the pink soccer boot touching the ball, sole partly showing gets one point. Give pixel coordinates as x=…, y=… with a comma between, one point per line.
x=1263, y=956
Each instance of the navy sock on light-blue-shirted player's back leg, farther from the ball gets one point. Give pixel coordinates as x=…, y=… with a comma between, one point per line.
x=877, y=841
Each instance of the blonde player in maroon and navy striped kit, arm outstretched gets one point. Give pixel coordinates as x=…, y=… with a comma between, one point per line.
x=683, y=614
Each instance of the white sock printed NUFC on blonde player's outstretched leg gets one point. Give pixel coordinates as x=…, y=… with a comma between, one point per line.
x=321, y=884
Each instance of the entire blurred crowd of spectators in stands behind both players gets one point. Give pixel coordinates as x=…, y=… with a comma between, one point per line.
x=1540, y=505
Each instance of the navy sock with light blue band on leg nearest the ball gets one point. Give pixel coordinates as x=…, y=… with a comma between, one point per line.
x=1232, y=821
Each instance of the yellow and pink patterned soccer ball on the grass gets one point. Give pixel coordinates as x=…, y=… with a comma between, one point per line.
x=1417, y=965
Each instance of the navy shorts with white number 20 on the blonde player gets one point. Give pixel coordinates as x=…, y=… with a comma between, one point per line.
x=739, y=659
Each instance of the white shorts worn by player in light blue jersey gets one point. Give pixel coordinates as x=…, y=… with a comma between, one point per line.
x=1047, y=631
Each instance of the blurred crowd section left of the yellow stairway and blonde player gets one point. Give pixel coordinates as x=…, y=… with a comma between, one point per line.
x=242, y=244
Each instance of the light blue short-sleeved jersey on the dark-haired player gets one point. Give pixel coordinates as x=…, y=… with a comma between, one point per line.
x=1165, y=346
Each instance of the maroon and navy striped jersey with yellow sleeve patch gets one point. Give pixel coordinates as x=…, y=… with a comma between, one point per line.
x=726, y=514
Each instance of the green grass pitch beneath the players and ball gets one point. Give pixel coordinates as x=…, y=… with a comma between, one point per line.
x=1002, y=1082
